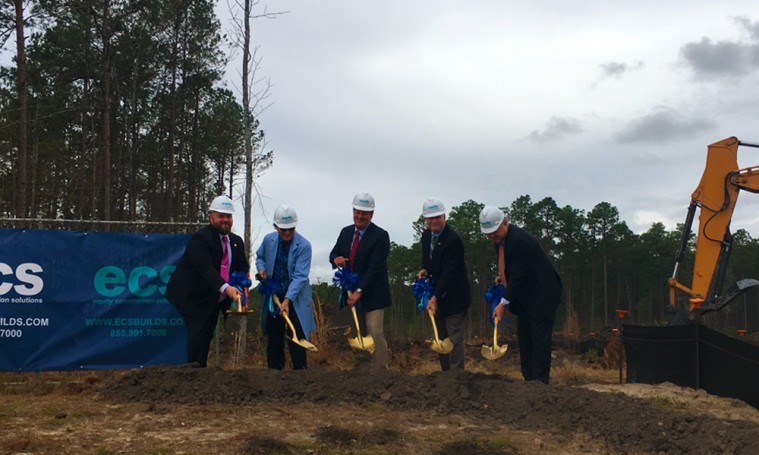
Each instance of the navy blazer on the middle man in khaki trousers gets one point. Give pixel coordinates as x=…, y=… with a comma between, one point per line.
x=370, y=264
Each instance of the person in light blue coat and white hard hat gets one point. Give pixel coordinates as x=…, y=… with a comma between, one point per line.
x=284, y=257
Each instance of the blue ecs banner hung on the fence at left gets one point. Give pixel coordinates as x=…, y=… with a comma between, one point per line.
x=84, y=300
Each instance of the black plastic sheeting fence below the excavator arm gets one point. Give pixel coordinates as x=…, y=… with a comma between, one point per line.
x=726, y=366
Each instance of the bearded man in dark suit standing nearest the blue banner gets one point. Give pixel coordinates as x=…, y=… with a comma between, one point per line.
x=199, y=287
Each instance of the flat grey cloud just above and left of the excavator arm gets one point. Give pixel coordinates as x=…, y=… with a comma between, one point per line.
x=665, y=125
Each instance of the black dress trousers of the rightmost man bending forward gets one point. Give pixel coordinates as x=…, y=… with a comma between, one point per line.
x=535, y=346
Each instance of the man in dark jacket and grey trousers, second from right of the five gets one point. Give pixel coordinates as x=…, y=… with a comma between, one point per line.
x=443, y=262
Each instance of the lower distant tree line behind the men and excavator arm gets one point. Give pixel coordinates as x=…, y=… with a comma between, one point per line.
x=604, y=266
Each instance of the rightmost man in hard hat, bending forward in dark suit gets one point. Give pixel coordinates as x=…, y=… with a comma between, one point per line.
x=532, y=290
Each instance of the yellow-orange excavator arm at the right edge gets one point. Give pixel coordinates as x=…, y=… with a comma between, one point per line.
x=715, y=196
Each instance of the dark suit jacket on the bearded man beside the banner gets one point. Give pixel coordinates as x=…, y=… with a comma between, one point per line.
x=194, y=286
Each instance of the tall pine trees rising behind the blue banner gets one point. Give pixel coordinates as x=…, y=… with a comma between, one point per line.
x=114, y=110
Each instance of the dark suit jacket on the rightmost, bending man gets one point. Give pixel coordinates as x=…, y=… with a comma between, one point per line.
x=533, y=287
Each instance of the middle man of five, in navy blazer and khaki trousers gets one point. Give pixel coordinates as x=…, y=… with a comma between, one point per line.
x=363, y=248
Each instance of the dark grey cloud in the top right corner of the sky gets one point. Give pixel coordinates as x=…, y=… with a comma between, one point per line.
x=712, y=60
